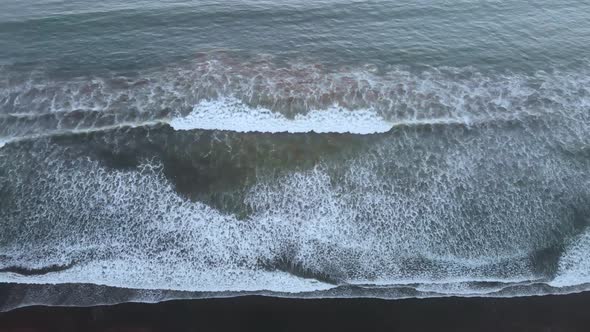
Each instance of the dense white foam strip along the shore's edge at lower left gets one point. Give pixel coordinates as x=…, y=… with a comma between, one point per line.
x=129, y=272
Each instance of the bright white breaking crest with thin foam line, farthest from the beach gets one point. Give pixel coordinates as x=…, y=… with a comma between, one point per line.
x=232, y=115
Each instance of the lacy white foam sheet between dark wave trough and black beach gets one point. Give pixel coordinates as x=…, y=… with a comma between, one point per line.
x=168, y=242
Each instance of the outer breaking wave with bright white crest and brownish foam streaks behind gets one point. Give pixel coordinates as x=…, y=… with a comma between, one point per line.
x=218, y=91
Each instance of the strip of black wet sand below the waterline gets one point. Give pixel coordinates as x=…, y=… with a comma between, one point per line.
x=254, y=313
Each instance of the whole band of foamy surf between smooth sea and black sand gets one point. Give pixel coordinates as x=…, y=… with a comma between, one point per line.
x=474, y=185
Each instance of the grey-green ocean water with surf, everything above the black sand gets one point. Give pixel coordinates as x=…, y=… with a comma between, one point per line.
x=154, y=150
